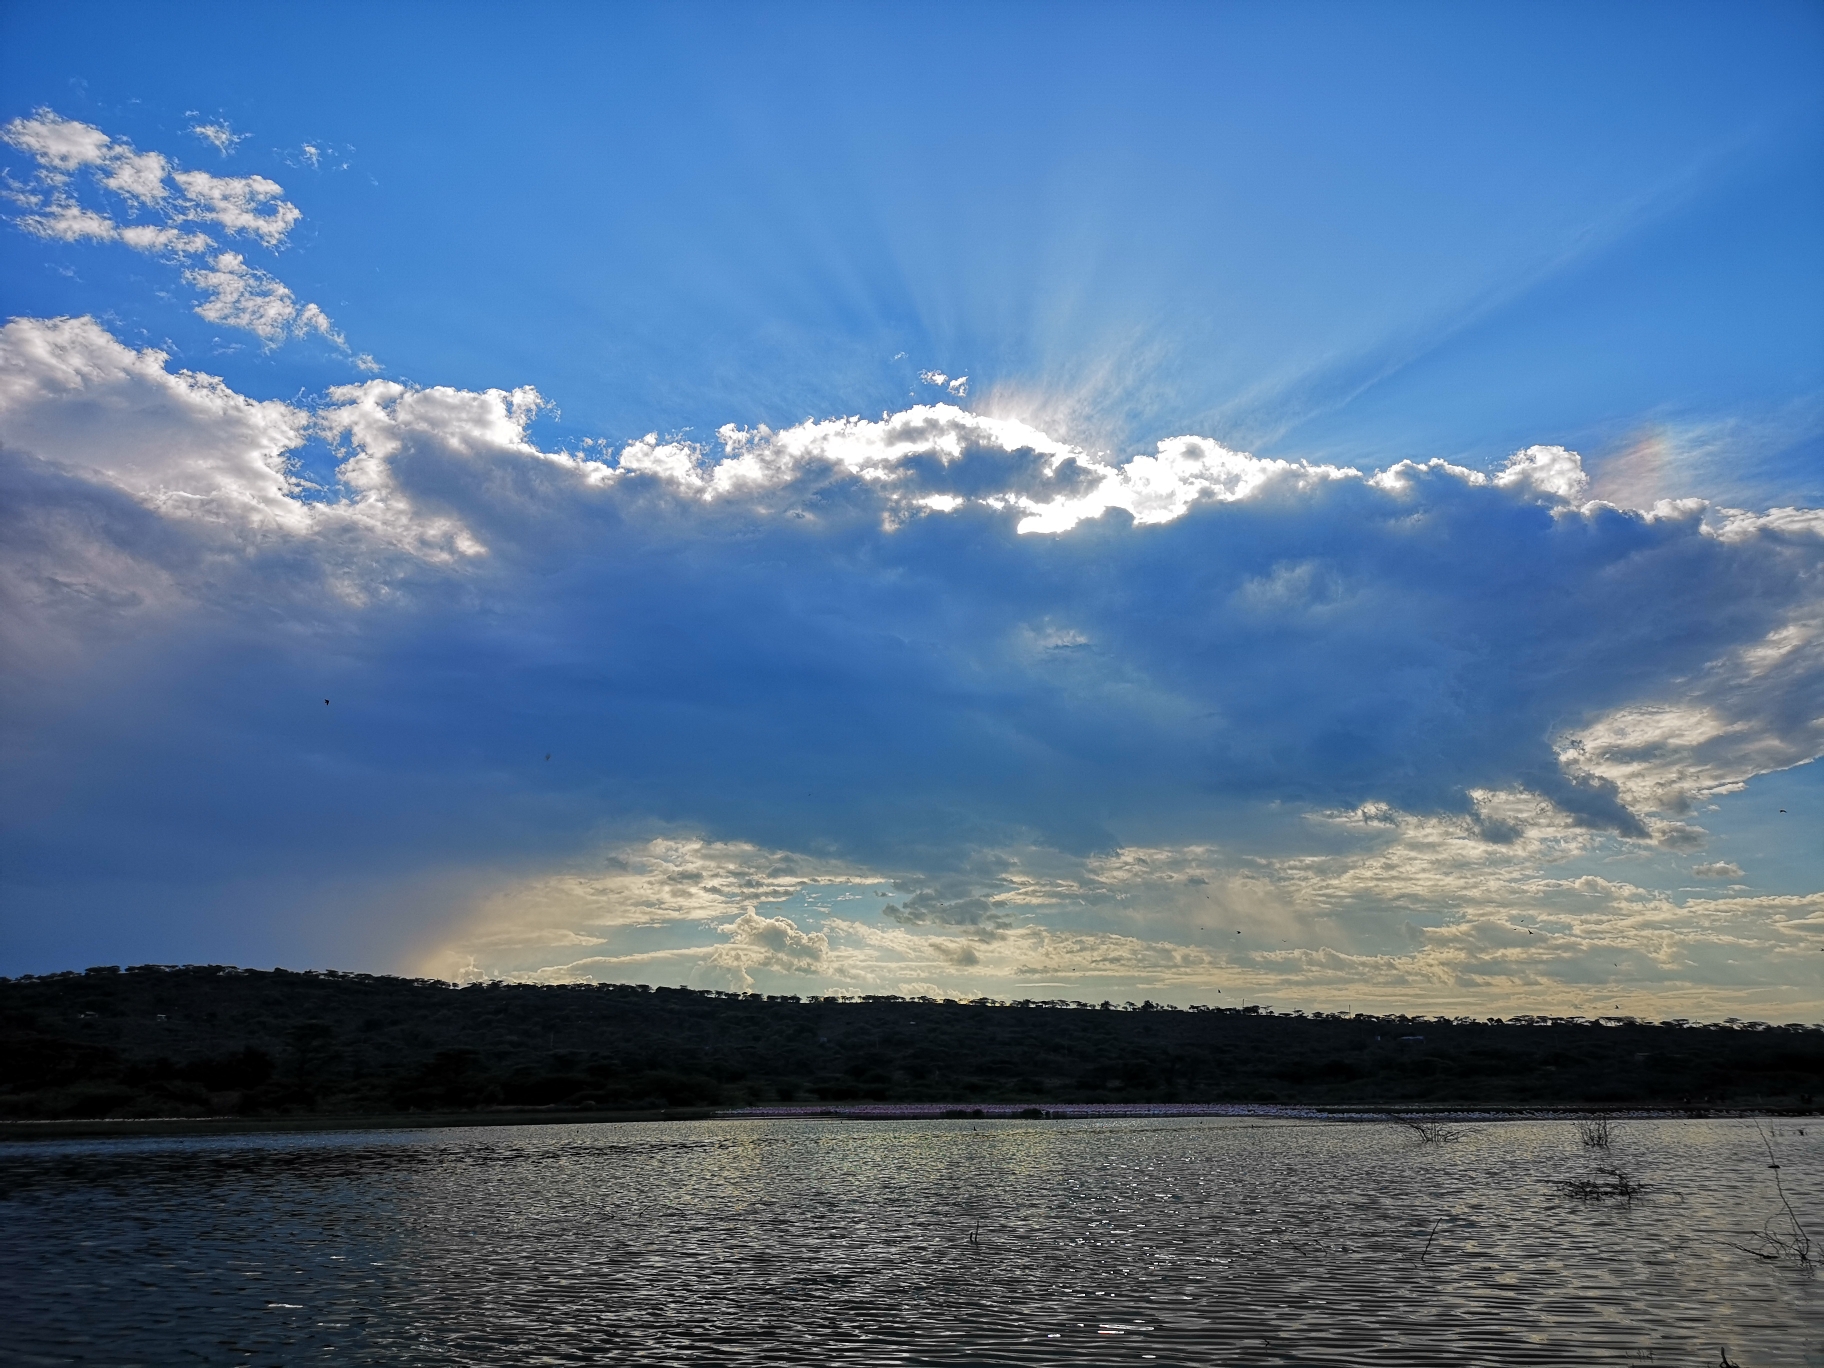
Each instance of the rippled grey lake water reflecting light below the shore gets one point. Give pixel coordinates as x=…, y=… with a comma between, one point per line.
x=1187, y=1241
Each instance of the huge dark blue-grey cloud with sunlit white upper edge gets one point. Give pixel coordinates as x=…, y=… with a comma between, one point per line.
x=791, y=643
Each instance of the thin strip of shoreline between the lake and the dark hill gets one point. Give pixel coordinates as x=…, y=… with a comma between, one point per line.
x=99, y=1128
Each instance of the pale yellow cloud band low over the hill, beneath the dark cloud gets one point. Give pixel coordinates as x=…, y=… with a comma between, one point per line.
x=1433, y=920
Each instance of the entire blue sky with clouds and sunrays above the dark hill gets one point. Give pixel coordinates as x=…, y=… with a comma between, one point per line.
x=1300, y=504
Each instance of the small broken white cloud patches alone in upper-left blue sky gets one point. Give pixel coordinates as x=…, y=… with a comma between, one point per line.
x=234, y=293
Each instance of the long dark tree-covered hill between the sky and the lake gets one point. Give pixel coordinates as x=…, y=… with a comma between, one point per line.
x=209, y=1041
